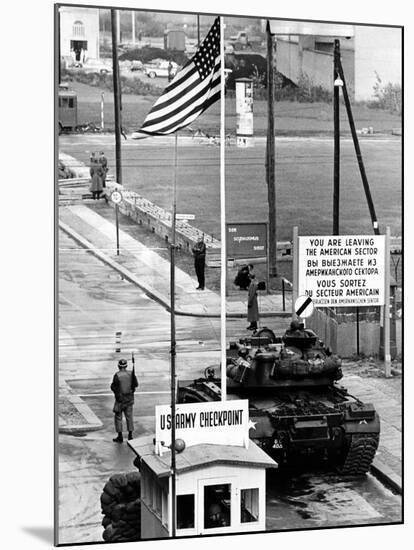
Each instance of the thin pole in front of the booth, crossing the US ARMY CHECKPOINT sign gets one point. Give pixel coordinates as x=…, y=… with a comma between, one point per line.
x=173, y=342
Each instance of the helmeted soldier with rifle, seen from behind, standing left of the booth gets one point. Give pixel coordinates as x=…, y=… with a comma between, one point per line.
x=124, y=384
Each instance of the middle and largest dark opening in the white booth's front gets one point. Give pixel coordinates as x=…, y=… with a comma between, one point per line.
x=217, y=507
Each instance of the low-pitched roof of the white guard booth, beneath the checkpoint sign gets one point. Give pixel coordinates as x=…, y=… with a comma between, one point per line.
x=199, y=456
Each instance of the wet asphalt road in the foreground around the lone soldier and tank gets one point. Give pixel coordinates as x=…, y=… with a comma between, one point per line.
x=94, y=303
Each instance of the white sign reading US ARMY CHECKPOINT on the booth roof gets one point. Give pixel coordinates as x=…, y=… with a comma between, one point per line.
x=218, y=422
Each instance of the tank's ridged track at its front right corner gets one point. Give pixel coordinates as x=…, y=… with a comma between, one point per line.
x=360, y=454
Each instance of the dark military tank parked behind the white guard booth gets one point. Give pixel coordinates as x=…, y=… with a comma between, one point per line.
x=295, y=402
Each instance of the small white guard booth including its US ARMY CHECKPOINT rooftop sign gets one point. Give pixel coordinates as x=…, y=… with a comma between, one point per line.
x=220, y=482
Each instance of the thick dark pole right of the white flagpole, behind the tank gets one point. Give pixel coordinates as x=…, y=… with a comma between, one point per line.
x=270, y=154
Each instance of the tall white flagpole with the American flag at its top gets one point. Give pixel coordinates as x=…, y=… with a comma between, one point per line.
x=222, y=221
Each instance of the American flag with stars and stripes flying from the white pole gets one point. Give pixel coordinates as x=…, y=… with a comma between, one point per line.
x=191, y=92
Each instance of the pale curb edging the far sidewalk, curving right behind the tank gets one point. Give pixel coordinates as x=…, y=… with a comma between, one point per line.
x=129, y=276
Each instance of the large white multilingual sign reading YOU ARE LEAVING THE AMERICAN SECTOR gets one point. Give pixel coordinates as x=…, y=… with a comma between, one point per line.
x=344, y=270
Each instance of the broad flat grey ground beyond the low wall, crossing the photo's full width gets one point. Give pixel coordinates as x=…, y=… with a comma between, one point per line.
x=304, y=180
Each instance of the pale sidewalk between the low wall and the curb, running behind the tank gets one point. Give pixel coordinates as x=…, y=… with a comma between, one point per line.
x=150, y=272
